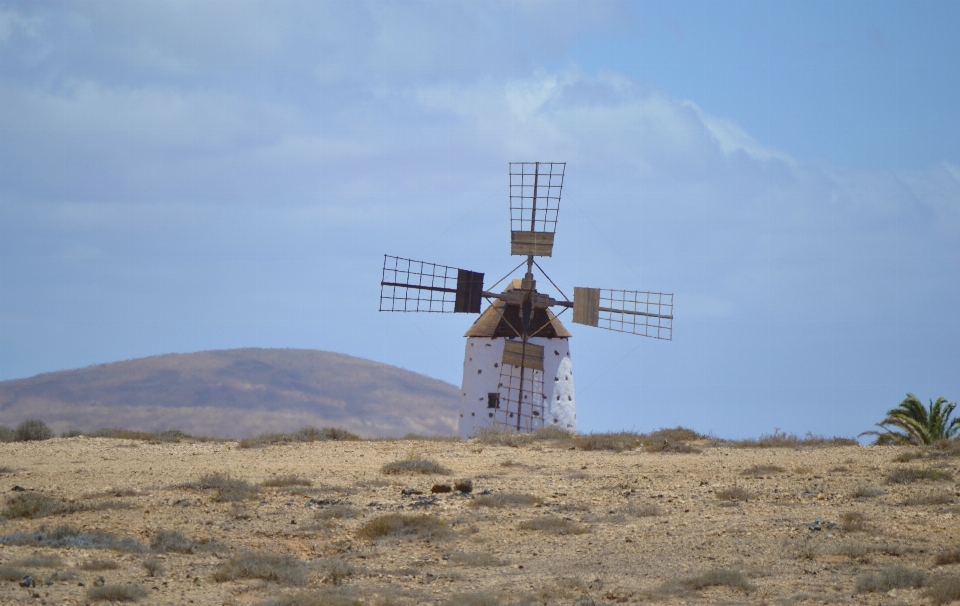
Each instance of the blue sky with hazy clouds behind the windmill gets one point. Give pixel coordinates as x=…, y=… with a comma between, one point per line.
x=186, y=176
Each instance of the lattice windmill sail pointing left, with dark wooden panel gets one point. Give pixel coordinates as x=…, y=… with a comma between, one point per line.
x=411, y=286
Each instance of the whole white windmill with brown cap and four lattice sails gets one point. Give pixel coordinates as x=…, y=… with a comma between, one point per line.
x=517, y=370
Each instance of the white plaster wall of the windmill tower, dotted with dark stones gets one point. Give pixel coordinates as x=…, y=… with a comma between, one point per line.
x=481, y=376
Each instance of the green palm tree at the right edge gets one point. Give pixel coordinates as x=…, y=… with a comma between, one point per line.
x=919, y=425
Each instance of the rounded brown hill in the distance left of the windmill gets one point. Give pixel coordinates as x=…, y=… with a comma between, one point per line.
x=237, y=392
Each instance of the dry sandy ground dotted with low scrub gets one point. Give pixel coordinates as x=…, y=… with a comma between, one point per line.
x=546, y=522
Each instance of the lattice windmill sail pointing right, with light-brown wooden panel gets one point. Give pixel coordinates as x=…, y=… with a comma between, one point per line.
x=649, y=314
